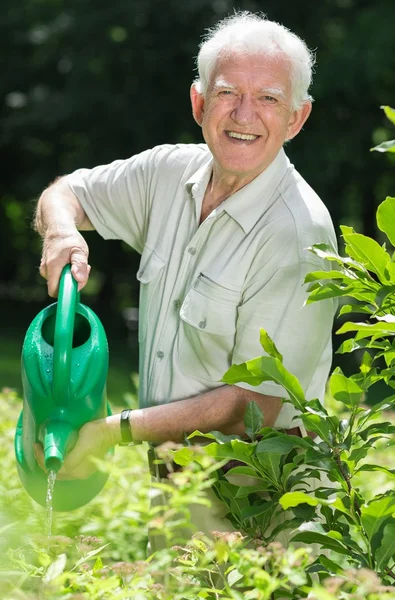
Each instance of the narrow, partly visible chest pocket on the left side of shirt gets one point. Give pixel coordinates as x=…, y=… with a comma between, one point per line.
x=149, y=275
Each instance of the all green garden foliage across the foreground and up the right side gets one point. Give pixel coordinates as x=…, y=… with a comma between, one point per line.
x=323, y=493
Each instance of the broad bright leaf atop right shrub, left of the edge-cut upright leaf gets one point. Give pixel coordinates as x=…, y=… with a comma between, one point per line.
x=367, y=251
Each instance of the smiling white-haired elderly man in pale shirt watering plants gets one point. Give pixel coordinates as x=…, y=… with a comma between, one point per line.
x=222, y=229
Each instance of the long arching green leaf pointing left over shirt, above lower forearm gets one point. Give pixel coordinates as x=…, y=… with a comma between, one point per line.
x=267, y=368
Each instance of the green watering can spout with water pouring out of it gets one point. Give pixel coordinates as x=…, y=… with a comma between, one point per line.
x=58, y=439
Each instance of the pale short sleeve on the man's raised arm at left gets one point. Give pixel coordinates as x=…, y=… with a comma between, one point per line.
x=116, y=197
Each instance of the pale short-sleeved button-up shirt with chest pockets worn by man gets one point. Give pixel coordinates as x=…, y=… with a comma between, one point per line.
x=207, y=289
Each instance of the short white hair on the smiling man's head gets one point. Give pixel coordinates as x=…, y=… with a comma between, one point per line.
x=248, y=33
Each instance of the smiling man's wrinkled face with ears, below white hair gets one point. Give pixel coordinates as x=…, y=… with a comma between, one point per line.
x=246, y=114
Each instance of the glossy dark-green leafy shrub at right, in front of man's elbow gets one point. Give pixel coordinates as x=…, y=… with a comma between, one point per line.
x=353, y=528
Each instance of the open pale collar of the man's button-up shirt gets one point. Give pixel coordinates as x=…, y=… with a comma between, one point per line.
x=247, y=204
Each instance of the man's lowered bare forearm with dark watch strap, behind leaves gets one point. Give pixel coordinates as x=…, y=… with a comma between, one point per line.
x=221, y=409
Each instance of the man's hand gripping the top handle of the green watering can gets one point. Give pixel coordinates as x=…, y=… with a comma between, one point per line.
x=60, y=250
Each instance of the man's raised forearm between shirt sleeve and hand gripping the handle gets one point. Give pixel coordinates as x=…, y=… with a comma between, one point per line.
x=59, y=212
